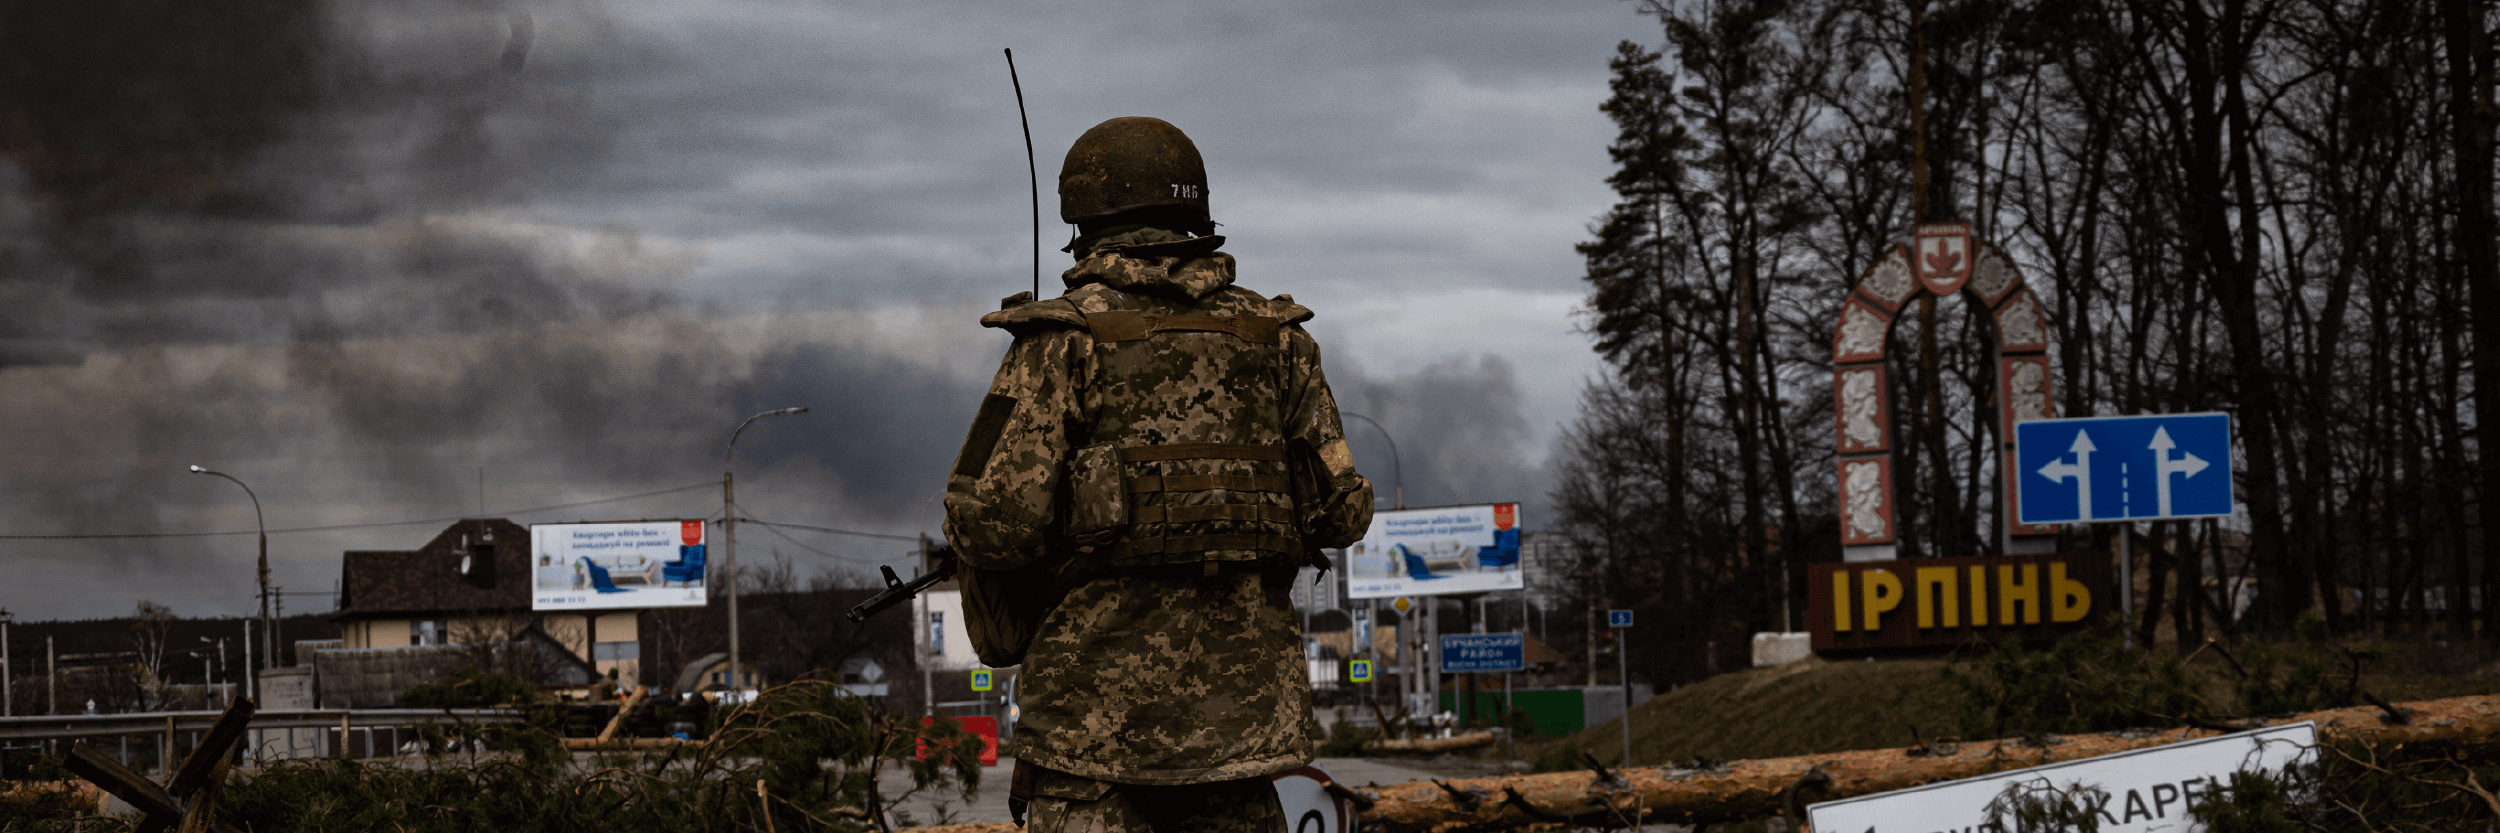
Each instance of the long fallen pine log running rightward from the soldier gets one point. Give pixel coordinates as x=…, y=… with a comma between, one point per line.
x=1759, y=789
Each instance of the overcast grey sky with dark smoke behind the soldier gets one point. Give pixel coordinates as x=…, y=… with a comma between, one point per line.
x=374, y=256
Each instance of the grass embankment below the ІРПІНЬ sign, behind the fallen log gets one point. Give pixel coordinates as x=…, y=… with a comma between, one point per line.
x=1826, y=707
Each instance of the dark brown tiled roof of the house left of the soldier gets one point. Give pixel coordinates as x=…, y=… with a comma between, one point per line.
x=429, y=579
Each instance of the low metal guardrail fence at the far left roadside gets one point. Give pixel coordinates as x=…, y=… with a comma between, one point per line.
x=156, y=739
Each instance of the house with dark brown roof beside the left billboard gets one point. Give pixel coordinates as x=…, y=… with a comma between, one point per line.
x=464, y=599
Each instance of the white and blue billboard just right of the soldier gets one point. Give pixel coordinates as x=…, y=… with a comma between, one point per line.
x=1431, y=552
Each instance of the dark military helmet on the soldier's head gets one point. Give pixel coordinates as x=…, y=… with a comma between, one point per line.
x=1134, y=164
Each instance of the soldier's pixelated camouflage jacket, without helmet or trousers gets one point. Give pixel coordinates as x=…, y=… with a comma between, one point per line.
x=1159, y=674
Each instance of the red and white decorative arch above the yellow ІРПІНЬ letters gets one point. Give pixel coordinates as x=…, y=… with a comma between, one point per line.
x=1941, y=259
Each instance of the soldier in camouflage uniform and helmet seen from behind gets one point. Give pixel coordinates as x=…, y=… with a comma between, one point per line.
x=1156, y=459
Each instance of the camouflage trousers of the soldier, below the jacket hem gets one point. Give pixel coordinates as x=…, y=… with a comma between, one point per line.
x=1069, y=804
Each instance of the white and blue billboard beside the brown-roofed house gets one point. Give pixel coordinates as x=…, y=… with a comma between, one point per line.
x=641, y=564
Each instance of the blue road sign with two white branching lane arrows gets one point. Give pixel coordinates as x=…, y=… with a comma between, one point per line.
x=2124, y=469
